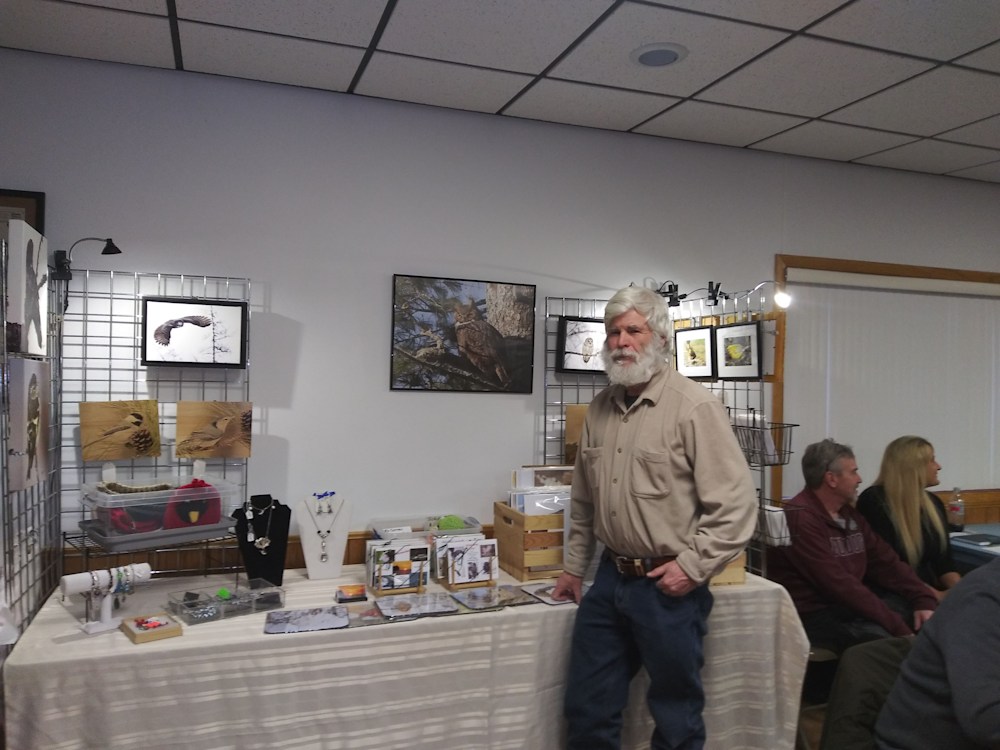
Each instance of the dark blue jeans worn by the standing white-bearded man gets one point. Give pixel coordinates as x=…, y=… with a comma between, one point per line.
x=622, y=624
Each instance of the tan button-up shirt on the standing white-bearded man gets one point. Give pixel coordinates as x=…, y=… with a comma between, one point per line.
x=664, y=477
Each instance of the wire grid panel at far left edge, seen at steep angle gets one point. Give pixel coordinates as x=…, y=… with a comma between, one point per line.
x=29, y=518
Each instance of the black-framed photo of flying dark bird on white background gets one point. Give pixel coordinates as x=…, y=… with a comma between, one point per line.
x=194, y=332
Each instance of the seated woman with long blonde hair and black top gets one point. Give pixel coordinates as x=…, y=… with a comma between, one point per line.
x=912, y=520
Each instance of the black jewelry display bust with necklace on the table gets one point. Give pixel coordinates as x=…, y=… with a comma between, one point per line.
x=262, y=525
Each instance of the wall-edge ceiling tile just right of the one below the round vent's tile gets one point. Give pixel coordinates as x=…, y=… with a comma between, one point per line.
x=716, y=123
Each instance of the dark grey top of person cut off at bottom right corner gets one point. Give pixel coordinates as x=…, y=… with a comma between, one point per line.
x=946, y=693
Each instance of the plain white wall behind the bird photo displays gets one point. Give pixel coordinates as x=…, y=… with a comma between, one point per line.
x=319, y=198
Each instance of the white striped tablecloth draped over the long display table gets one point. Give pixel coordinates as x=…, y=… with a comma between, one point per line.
x=487, y=680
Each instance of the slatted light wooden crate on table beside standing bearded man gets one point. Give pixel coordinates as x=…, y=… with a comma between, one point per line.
x=530, y=547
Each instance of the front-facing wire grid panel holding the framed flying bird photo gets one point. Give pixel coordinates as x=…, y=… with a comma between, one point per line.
x=101, y=355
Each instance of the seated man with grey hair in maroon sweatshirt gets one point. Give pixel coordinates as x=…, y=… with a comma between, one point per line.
x=848, y=585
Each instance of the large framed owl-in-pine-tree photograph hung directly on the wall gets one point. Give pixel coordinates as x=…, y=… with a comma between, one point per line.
x=461, y=335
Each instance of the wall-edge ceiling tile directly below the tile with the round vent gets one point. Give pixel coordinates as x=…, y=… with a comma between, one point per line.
x=591, y=106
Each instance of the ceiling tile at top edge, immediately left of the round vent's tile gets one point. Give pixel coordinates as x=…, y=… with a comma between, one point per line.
x=517, y=35
